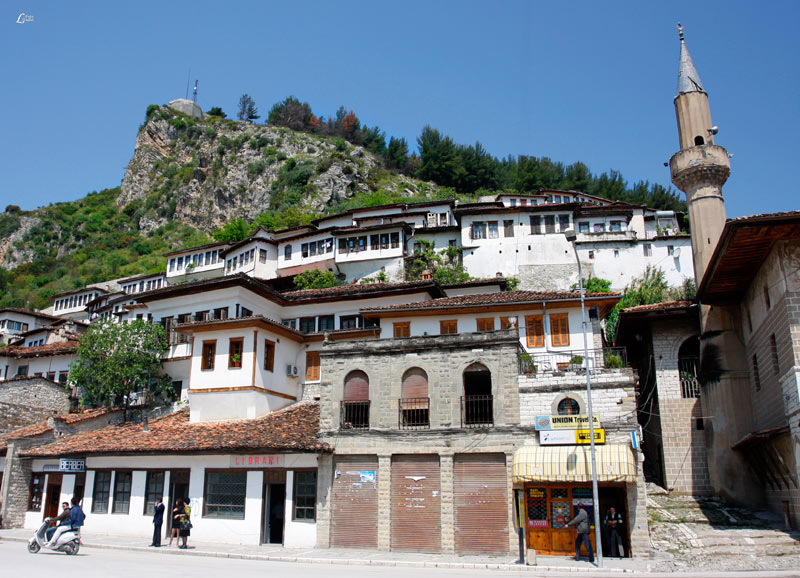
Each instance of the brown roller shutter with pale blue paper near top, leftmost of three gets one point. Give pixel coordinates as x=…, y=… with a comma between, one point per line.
x=354, y=517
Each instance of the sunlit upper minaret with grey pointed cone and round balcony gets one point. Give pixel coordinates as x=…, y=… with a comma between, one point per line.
x=700, y=168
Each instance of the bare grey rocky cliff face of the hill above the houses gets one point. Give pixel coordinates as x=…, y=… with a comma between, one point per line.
x=205, y=172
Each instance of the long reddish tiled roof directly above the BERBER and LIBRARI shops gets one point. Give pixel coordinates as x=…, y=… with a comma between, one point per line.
x=292, y=429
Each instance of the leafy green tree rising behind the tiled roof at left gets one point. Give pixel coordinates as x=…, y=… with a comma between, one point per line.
x=115, y=360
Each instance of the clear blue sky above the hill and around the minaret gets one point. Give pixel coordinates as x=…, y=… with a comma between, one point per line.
x=582, y=80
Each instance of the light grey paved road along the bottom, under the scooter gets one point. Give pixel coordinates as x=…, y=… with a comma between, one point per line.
x=16, y=562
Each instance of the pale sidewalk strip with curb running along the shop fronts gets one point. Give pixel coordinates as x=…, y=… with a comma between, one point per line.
x=346, y=561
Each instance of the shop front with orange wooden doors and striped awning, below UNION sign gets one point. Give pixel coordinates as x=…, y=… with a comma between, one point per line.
x=555, y=480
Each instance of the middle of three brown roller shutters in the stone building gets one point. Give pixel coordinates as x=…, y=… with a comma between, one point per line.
x=416, y=503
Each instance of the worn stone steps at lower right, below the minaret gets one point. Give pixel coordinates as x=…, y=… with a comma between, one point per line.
x=689, y=533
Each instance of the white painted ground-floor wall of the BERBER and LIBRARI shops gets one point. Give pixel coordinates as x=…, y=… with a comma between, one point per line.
x=139, y=525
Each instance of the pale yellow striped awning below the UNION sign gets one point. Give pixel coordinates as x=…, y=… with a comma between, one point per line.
x=615, y=463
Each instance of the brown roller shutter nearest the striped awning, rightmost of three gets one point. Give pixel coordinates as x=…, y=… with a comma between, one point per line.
x=481, y=504
